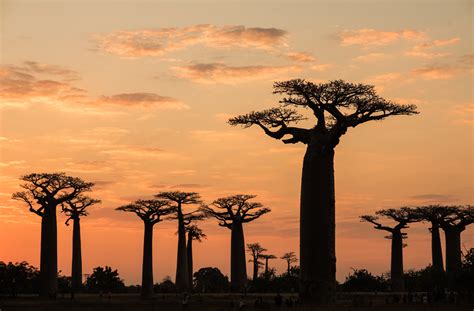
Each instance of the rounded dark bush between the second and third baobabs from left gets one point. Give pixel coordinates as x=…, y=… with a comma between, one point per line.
x=104, y=280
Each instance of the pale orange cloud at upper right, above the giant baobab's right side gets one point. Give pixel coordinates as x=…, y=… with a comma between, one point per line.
x=368, y=37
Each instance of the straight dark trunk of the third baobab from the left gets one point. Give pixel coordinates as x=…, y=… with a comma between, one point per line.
x=147, y=267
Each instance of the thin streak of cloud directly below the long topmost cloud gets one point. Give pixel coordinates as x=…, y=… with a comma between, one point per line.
x=211, y=73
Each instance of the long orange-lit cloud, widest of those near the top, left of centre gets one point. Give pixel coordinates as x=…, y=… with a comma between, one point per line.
x=157, y=42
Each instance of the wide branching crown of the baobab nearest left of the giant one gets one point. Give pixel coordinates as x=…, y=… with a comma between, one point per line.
x=236, y=208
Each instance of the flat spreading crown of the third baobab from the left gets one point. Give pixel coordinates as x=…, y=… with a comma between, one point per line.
x=150, y=211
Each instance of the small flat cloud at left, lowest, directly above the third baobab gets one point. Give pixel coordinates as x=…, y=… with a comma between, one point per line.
x=146, y=100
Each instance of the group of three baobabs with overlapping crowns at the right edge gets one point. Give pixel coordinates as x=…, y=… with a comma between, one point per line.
x=453, y=220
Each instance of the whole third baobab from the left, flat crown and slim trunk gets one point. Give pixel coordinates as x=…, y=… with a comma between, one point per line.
x=151, y=212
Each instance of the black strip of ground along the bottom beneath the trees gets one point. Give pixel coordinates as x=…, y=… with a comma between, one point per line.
x=220, y=302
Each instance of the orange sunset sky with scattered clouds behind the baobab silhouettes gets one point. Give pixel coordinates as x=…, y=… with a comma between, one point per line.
x=135, y=95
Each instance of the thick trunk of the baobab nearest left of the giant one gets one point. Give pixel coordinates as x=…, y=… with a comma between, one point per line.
x=238, y=269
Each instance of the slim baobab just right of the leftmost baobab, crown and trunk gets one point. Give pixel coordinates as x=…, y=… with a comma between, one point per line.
x=74, y=210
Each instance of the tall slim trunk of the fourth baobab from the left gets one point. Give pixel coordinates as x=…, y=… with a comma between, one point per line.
x=182, y=284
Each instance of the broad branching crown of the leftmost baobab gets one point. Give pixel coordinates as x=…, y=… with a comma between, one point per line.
x=47, y=190
